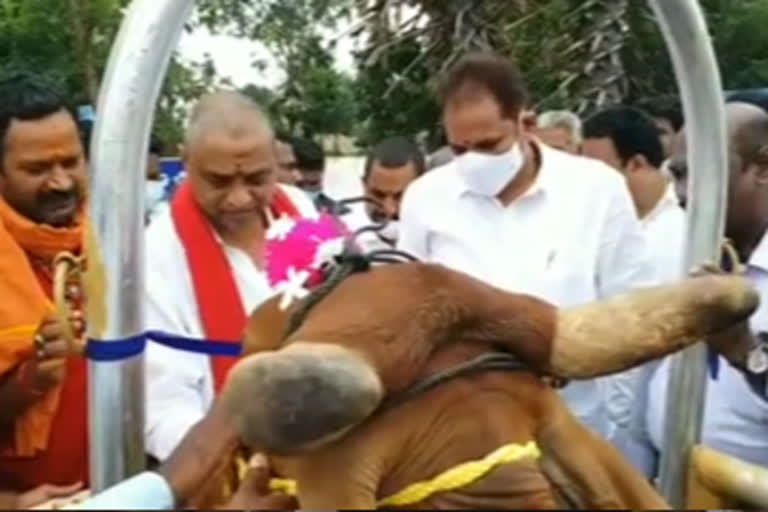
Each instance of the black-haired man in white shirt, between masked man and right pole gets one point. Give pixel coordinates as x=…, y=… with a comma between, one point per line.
x=628, y=140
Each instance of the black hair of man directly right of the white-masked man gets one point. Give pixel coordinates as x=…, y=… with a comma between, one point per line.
x=632, y=131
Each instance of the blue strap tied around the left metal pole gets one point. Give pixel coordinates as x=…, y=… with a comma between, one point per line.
x=119, y=350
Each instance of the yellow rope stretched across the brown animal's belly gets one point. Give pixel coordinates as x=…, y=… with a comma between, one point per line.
x=455, y=478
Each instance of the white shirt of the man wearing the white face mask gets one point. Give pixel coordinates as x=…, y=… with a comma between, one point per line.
x=571, y=239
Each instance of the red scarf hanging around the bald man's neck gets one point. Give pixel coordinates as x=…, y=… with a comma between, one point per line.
x=222, y=313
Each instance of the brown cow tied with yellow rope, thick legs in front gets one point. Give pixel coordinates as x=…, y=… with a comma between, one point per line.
x=330, y=402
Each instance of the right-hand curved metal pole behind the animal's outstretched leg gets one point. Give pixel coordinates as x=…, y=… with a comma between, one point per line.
x=690, y=47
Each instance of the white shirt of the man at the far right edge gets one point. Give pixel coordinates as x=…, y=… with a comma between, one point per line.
x=735, y=418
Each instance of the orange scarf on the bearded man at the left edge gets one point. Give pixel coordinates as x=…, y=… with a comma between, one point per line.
x=24, y=304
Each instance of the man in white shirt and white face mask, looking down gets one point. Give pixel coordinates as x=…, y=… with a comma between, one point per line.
x=520, y=215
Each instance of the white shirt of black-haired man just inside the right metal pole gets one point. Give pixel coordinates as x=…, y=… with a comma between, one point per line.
x=664, y=228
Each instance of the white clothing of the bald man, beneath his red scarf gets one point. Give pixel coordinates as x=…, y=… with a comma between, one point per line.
x=179, y=385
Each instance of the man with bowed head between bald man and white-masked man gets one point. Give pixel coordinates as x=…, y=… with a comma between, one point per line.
x=390, y=167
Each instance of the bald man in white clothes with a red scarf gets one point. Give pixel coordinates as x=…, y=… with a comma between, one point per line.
x=205, y=258
